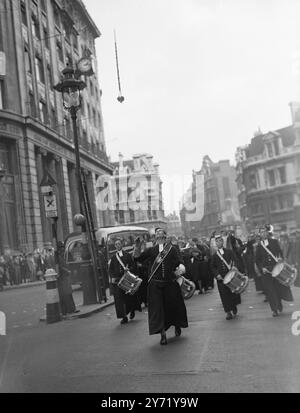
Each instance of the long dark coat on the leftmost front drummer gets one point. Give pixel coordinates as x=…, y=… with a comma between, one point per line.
x=124, y=303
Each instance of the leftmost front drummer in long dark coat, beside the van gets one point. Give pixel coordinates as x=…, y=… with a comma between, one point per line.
x=124, y=303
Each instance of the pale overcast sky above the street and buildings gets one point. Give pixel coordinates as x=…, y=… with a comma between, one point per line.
x=198, y=76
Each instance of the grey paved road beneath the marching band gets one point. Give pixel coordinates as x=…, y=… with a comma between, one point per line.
x=254, y=353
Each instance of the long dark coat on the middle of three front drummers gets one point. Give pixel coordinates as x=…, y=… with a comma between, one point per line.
x=229, y=299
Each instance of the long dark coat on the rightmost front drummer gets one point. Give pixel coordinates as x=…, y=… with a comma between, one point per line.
x=274, y=290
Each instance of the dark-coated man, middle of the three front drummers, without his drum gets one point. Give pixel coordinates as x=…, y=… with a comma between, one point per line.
x=222, y=262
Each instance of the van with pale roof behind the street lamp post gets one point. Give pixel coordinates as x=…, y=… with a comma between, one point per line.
x=106, y=238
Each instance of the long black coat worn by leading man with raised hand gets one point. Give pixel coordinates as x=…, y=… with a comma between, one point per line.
x=166, y=306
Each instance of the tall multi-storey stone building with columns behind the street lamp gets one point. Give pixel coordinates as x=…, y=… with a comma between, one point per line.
x=37, y=39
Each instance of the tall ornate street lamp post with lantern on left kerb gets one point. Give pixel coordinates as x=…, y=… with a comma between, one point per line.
x=70, y=87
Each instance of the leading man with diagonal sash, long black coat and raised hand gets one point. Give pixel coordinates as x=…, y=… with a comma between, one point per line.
x=166, y=305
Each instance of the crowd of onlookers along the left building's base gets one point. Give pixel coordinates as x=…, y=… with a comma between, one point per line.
x=17, y=268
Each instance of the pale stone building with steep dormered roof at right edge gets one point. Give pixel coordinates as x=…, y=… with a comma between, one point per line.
x=268, y=177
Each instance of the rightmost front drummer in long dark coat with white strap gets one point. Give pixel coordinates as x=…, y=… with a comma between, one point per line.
x=268, y=254
